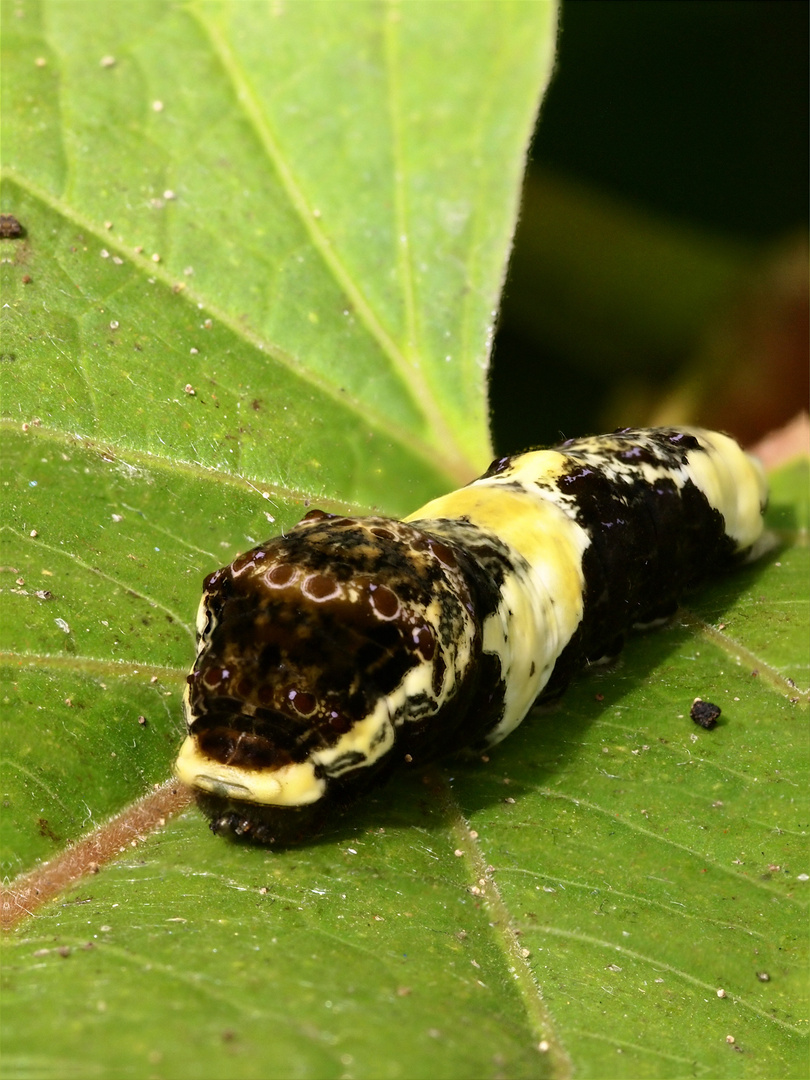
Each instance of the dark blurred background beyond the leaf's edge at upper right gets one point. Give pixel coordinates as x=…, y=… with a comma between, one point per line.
x=660, y=269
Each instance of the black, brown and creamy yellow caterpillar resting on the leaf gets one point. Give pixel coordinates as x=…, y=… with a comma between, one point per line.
x=333, y=654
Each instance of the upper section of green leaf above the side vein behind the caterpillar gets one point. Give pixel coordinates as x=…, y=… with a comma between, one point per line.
x=330, y=191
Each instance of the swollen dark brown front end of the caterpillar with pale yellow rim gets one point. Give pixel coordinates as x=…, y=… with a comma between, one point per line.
x=325, y=657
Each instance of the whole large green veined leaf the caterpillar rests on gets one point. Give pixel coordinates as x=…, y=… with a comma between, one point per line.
x=463, y=920
